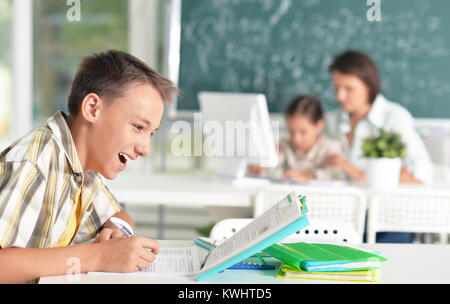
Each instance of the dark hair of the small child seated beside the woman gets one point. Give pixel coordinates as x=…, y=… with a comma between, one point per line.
x=305, y=105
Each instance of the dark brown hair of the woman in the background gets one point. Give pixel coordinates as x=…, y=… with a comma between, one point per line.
x=360, y=65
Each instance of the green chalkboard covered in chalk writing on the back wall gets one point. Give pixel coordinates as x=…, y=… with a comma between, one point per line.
x=282, y=48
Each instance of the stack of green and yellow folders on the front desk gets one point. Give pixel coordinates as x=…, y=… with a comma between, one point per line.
x=326, y=262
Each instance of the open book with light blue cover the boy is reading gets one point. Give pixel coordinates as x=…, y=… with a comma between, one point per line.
x=283, y=219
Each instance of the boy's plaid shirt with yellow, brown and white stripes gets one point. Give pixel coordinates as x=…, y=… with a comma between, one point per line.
x=42, y=183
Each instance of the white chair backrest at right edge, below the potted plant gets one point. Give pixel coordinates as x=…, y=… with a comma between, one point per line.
x=412, y=210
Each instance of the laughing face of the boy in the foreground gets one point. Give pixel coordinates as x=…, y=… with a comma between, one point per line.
x=123, y=128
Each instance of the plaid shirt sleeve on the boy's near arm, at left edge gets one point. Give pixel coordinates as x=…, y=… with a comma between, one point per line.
x=21, y=191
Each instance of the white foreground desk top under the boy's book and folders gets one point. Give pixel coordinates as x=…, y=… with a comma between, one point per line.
x=406, y=263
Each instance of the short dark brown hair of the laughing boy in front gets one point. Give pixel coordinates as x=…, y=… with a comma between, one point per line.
x=107, y=74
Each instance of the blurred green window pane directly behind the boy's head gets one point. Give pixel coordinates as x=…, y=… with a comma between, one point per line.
x=59, y=45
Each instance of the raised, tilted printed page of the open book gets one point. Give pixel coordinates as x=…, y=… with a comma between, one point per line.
x=276, y=218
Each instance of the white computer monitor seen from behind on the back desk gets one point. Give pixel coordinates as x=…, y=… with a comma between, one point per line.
x=237, y=129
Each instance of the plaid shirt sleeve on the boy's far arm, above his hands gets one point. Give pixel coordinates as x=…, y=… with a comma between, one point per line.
x=104, y=206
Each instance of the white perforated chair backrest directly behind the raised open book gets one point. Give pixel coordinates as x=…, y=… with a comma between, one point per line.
x=346, y=205
